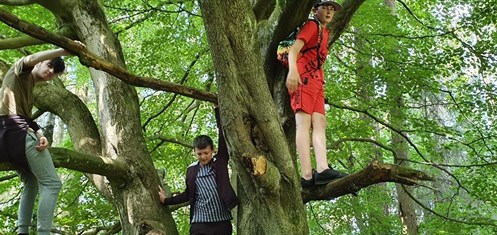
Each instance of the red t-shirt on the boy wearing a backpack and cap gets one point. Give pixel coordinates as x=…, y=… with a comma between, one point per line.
x=307, y=63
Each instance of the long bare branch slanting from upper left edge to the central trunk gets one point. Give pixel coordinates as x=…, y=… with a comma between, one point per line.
x=89, y=59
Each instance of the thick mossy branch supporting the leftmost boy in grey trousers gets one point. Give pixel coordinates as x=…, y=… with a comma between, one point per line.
x=82, y=162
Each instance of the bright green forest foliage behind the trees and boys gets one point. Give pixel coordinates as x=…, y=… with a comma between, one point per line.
x=439, y=56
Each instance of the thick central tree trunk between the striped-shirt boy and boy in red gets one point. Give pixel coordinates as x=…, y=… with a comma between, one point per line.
x=272, y=203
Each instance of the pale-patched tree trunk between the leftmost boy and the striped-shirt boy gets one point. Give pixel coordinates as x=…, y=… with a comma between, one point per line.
x=135, y=195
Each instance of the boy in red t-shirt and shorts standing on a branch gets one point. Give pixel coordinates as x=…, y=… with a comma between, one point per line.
x=305, y=83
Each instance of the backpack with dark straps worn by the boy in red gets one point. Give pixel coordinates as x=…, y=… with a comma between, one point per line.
x=285, y=45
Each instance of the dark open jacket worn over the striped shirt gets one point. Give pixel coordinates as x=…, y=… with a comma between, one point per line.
x=220, y=164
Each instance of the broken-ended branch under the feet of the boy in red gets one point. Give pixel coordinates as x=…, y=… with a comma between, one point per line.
x=375, y=173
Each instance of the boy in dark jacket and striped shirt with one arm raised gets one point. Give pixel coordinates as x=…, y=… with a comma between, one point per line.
x=208, y=188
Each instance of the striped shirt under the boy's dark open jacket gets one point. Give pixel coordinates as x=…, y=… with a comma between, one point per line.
x=208, y=207
